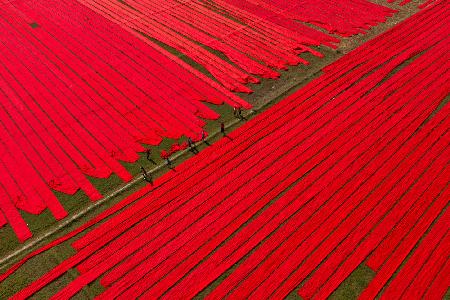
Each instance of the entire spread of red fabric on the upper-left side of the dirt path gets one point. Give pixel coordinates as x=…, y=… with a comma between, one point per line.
x=86, y=99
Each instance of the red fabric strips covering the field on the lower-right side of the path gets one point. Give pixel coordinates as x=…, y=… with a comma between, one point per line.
x=300, y=195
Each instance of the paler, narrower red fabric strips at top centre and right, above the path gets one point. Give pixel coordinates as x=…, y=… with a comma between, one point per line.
x=262, y=36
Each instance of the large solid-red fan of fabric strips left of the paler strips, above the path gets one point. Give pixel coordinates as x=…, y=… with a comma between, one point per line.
x=84, y=101
